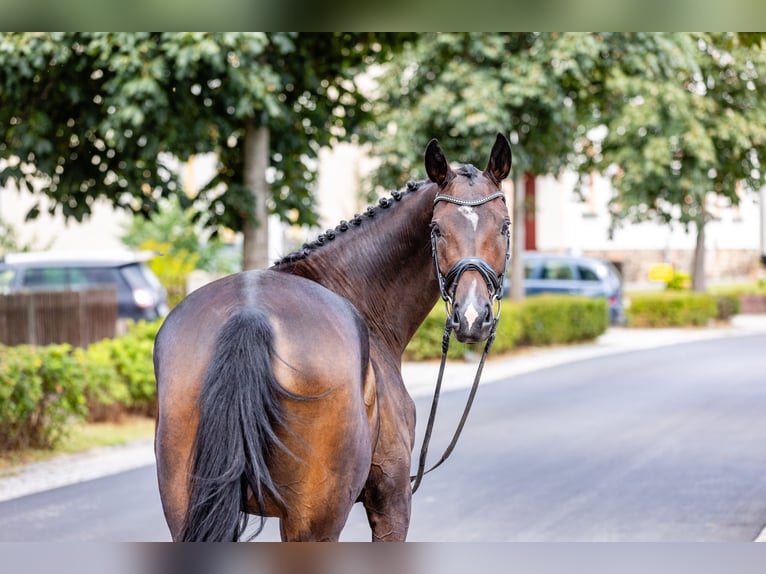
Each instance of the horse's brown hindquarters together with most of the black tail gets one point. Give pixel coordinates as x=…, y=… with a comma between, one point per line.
x=207, y=363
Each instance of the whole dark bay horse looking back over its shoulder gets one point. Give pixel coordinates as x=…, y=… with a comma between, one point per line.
x=280, y=390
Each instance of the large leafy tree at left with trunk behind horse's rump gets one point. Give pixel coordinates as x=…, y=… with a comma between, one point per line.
x=89, y=115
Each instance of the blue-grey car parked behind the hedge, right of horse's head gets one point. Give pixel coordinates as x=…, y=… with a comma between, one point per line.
x=563, y=274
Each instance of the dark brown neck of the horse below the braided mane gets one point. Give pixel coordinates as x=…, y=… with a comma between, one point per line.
x=386, y=270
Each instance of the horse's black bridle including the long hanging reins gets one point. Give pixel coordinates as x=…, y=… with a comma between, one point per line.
x=495, y=285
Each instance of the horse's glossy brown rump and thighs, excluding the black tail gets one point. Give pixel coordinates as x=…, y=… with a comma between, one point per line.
x=319, y=353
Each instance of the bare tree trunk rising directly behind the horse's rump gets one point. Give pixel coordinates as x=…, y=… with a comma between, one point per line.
x=255, y=243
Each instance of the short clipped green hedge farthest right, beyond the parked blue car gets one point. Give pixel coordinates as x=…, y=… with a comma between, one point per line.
x=671, y=309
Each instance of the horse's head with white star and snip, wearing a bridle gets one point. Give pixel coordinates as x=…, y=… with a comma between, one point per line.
x=470, y=233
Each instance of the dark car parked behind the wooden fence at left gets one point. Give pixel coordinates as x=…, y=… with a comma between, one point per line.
x=139, y=293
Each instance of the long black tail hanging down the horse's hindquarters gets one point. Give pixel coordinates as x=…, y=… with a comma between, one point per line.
x=239, y=410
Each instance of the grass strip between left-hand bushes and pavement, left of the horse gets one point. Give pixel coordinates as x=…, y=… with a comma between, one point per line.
x=82, y=436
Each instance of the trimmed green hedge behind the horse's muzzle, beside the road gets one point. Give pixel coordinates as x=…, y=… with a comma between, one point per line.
x=542, y=320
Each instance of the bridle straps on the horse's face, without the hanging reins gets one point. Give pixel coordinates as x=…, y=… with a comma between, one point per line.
x=448, y=283
